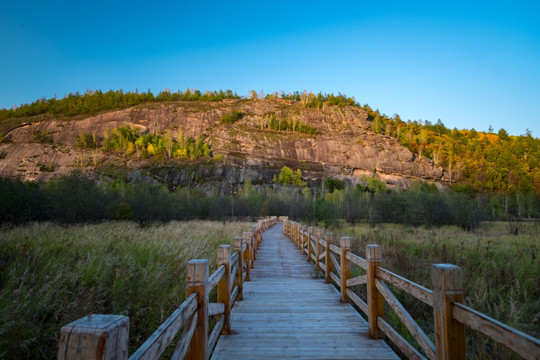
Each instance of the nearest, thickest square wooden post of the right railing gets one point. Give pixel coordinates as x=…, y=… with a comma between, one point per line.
x=449, y=333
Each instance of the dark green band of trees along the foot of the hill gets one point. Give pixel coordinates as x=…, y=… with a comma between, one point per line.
x=75, y=199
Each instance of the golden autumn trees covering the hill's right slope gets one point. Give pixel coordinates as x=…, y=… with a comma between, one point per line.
x=486, y=161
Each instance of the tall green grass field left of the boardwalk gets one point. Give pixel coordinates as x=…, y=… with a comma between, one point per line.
x=52, y=275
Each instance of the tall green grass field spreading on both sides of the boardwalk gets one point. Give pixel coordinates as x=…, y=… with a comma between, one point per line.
x=51, y=275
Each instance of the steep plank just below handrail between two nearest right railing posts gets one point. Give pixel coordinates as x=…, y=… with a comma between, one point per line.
x=415, y=330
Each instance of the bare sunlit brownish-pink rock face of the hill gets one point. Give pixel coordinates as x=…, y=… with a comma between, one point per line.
x=344, y=147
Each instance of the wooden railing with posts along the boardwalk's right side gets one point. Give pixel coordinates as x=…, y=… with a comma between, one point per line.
x=450, y=315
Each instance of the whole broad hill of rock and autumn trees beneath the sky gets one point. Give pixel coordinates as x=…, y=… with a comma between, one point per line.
x=185, y=139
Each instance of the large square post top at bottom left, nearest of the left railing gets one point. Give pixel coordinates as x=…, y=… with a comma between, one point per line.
x=100, y=337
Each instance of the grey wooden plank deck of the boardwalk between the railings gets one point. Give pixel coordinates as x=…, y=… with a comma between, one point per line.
x=287, y=313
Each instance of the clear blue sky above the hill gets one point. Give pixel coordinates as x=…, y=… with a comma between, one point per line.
x=471, y=64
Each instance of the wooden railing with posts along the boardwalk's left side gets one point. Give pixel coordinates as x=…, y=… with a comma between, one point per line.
x=105, y=337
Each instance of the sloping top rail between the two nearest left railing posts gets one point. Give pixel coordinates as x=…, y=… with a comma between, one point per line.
x=165, y=333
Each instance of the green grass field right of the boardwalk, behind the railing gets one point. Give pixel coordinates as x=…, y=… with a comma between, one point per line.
x=501, y=272
